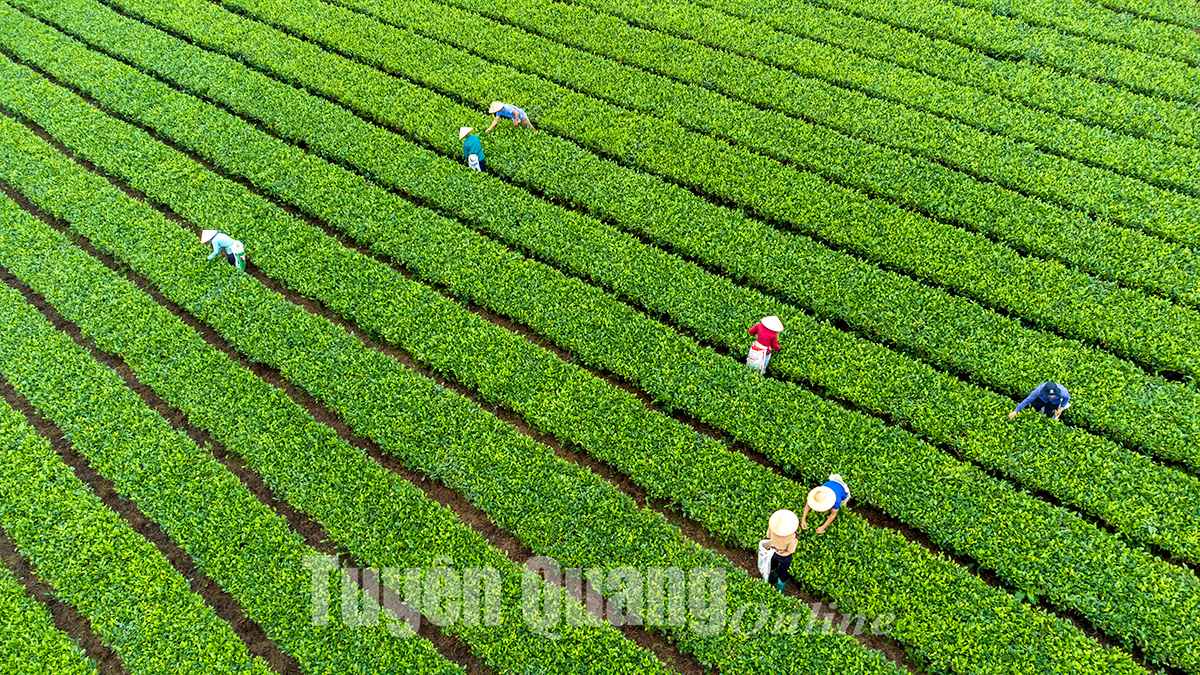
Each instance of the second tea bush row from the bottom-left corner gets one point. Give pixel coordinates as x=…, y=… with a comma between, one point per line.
x=127, y=589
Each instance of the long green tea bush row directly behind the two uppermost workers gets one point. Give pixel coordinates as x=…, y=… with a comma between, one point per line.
x=1145, y=330
